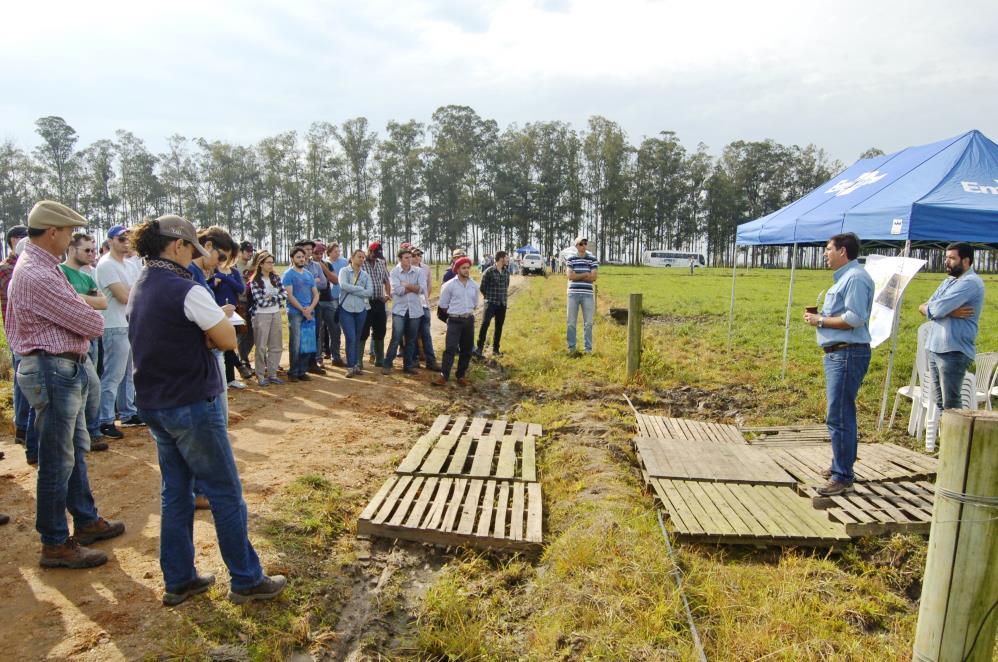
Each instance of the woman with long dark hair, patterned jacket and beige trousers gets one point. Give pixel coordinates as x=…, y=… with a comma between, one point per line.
x=266, y=298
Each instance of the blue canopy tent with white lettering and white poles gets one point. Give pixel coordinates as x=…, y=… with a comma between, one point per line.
x=940, y=192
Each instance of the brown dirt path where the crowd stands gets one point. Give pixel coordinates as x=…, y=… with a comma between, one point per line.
x=351, y=431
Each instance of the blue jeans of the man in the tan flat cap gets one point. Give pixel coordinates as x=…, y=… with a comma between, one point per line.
x=56, y=388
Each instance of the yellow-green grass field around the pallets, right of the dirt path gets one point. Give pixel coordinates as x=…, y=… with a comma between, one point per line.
x=602, y=588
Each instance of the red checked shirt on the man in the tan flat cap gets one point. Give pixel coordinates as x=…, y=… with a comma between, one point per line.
x=44, y=311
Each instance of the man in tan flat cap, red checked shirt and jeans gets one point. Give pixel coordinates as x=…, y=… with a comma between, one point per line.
x=50, y=327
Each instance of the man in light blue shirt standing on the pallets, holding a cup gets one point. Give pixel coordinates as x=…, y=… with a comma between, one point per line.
x=843, y=332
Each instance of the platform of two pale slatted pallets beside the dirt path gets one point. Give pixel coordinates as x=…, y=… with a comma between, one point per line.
x=468, y=481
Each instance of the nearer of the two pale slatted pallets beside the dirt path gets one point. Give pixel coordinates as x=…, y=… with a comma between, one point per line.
x=493, y=514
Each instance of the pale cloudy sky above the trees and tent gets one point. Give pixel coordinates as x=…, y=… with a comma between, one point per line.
x=844, y=75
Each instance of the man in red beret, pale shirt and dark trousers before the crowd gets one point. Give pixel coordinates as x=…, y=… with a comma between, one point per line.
x=458, y=300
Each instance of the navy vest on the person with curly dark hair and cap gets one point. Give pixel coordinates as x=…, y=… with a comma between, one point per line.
x=173, y=366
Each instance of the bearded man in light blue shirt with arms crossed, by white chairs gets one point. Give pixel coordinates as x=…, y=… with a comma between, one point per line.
x=955, y=311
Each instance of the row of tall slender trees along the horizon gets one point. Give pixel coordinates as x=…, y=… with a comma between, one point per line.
x=457, y=181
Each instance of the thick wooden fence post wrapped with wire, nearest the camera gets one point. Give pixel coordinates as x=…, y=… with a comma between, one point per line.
x=958, y=613
